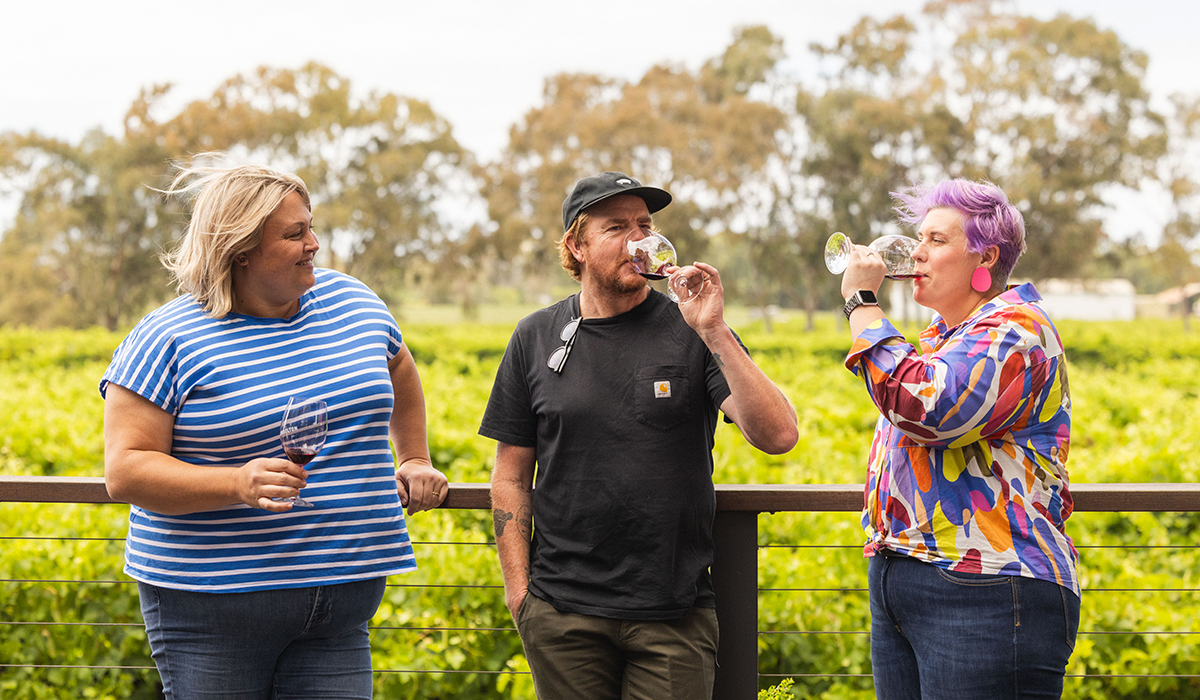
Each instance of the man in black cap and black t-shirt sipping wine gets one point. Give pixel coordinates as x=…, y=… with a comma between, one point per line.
x=613, y=397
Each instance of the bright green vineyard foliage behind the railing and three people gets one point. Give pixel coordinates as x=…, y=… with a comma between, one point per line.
x=1136, y=390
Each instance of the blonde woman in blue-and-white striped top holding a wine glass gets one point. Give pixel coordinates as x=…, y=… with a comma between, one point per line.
x=244, y=594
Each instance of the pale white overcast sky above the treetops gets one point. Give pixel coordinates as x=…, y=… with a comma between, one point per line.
x=74, y=67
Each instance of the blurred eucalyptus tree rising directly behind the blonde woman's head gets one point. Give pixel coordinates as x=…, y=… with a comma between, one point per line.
x=385, y=171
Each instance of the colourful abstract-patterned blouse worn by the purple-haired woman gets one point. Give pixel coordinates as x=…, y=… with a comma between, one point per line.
x=968, y=468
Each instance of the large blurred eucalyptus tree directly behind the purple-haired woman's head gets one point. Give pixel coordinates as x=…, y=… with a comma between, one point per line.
x=1053, y=111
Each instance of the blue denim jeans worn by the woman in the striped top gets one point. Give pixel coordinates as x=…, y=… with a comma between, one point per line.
x=265, y=645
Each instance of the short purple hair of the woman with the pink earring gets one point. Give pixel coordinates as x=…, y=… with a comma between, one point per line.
x=988, y=218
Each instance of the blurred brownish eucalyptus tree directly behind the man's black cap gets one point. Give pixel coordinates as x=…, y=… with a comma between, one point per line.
x=695, y=134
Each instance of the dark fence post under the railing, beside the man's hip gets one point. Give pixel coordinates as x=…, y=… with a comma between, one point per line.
x=736, y=584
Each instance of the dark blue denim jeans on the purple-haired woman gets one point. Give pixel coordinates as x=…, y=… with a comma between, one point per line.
x=939, y=635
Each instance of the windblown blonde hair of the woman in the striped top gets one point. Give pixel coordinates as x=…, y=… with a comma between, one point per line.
x=230, y=207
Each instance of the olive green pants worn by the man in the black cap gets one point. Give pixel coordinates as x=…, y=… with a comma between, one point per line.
x=597, y=659
